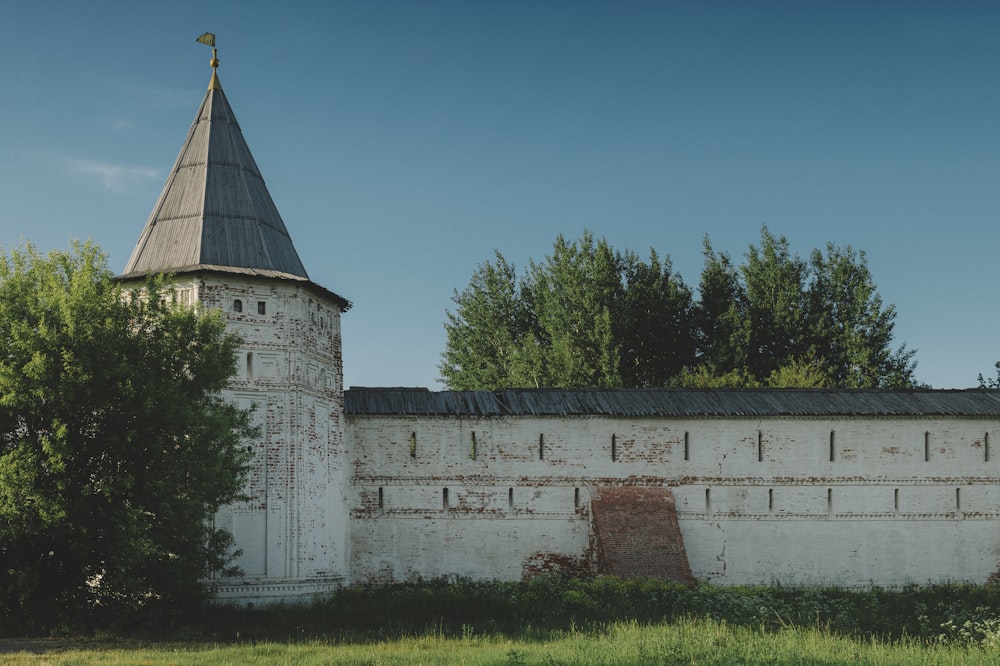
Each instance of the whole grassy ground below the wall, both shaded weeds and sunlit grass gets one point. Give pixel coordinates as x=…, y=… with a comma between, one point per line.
x=555, y=621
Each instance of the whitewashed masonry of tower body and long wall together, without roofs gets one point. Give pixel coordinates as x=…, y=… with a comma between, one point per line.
x=336, y=500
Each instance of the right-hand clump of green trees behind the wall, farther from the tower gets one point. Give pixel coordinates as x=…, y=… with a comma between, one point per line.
x=778, y=320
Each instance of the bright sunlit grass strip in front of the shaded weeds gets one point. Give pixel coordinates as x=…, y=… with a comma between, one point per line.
x=683, y=642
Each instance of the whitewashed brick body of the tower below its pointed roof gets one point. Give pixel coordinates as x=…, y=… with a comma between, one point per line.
x=292, y=530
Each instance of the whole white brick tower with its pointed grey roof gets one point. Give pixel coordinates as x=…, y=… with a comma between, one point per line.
x=216, y=230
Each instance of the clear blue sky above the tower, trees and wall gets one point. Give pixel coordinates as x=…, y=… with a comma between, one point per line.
x=404, y=141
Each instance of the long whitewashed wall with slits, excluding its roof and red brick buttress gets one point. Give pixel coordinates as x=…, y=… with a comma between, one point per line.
x=846, y=501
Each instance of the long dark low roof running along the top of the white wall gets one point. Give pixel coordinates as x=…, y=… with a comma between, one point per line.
x=673, y=402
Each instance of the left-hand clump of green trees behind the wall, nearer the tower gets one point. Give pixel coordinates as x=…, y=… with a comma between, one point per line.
x=587, y=315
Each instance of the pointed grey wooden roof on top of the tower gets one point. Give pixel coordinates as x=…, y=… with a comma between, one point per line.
x=215, y=213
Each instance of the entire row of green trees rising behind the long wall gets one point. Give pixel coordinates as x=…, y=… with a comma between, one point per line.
x=592, y=316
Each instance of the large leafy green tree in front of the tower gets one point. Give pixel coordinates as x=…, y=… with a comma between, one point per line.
x=115, y=446
